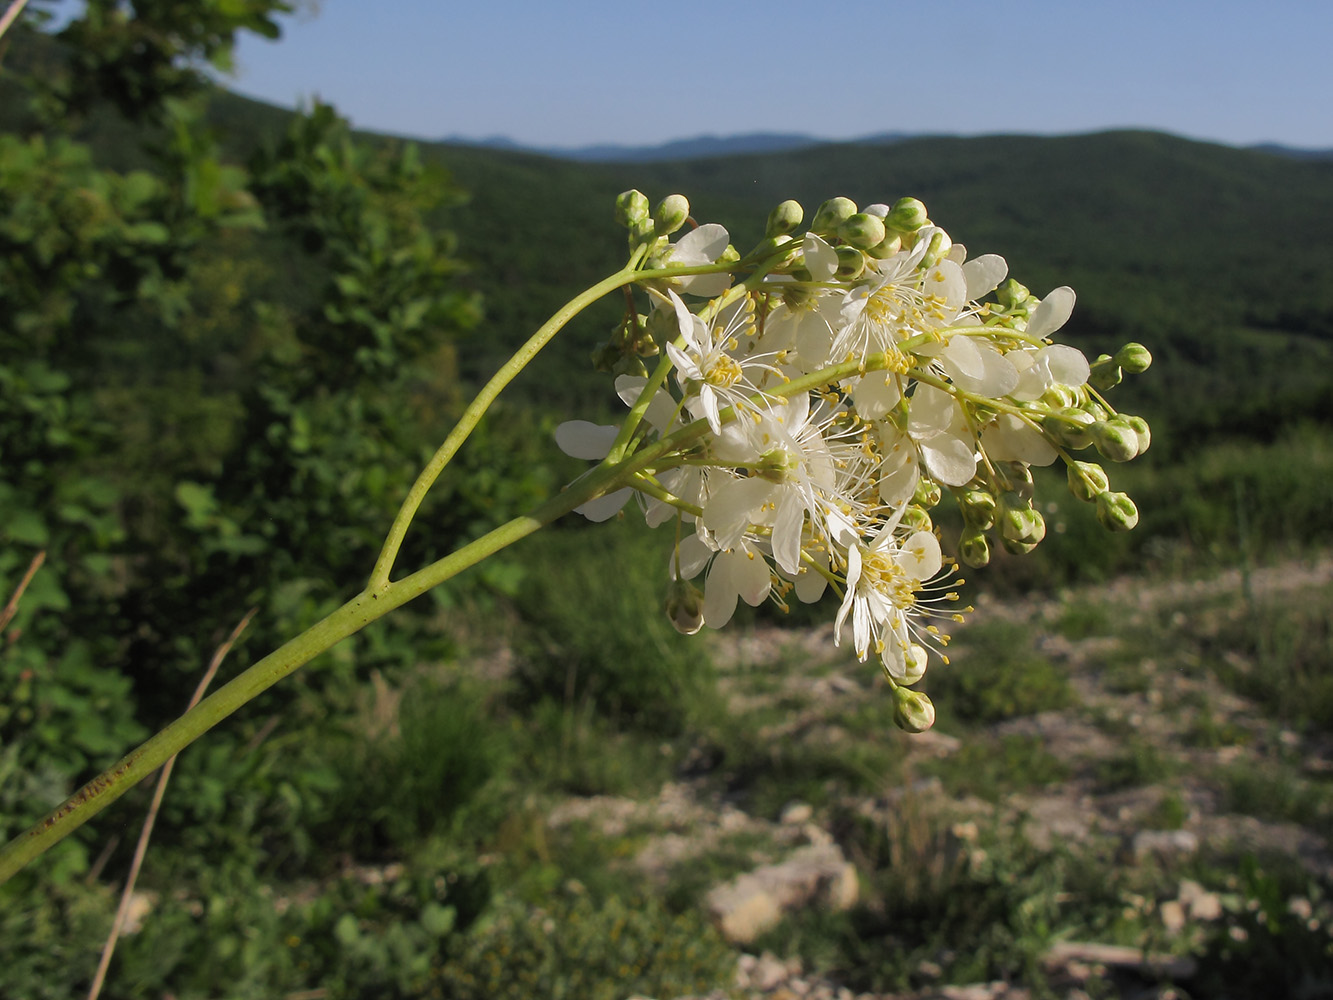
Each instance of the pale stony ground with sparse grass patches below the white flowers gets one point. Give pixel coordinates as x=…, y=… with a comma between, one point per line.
x=1132, y=687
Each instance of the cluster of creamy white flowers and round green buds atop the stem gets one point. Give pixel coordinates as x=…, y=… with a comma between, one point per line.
x=812, y=403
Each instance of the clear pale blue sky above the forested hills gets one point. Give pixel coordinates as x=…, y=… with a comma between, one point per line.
x=643, y=74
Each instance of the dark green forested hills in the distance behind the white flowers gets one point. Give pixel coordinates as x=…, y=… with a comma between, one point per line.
x=1220, y=259
